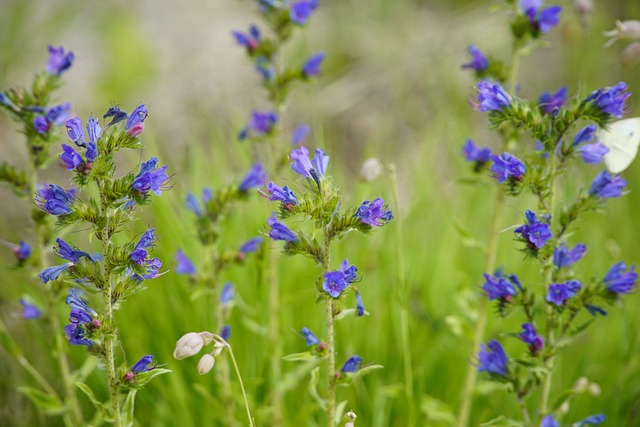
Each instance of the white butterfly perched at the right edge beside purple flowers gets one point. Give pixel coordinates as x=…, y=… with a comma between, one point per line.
x=622, y=138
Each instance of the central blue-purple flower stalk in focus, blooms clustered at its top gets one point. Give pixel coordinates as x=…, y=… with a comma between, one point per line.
x=320, y=206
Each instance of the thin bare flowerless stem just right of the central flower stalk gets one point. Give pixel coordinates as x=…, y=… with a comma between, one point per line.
x=403, y=301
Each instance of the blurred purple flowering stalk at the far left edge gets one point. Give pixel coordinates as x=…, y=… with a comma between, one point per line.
x=40, y=121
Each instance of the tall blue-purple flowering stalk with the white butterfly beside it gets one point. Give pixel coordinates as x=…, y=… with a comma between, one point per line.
x=564, y=303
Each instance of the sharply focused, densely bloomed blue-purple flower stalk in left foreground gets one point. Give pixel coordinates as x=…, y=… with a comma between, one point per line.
x=120, y=269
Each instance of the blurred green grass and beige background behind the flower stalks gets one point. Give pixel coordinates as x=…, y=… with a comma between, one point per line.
x=392, y=88
